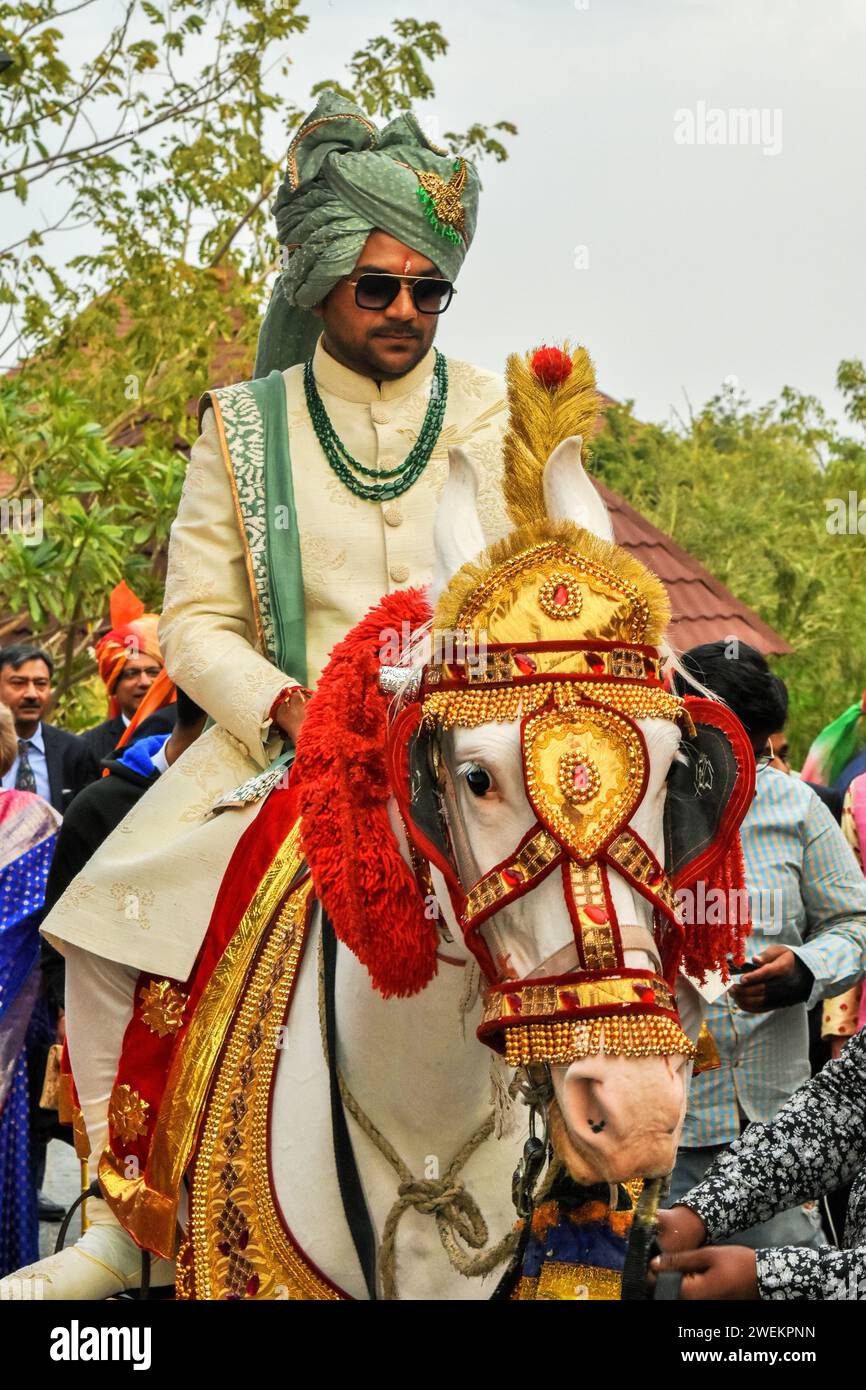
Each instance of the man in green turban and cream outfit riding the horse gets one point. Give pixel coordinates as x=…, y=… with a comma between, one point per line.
x=311, y=493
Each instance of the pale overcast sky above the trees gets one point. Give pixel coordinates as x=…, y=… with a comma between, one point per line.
x=678, y=265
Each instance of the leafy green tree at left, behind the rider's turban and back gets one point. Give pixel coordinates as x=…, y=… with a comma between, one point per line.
x=158, y=148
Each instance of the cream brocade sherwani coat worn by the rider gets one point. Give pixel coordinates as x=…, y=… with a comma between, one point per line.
x=147, y=897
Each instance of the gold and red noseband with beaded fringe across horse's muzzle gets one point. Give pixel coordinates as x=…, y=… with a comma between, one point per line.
x=571, y=1017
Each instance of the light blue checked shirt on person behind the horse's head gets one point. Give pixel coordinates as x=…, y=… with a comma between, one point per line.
x=807, y=893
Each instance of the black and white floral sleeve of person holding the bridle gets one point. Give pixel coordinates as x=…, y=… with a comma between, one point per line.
x=815, y=1143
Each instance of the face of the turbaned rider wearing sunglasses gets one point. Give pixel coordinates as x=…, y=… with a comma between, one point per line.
x=382, y=344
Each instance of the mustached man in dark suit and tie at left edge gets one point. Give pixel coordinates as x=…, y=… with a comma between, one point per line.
x=54, y=764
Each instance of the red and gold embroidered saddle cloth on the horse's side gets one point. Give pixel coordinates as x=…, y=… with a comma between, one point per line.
x=194, y=1084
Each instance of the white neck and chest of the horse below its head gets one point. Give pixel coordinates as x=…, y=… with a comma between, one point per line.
x=425, y=1085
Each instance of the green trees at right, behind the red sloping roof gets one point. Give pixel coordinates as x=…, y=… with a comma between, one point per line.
x=747, y=491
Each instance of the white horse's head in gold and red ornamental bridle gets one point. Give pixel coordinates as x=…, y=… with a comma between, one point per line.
x=539, y=749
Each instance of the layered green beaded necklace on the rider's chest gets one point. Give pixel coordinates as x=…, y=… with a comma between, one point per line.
x=390, y=483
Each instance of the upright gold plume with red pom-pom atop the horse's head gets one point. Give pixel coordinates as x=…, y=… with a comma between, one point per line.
x=540, y=419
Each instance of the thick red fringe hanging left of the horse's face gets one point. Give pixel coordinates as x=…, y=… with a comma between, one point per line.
x=341, y=783
